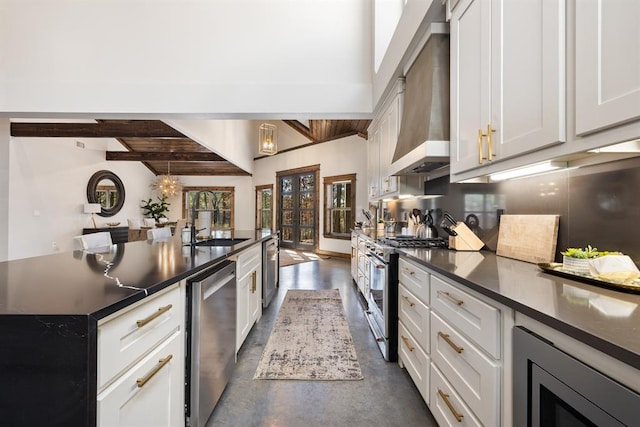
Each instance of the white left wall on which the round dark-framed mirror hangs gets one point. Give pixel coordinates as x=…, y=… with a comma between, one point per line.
x=47, y=190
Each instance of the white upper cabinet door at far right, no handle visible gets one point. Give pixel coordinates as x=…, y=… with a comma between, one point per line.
x=607, y=69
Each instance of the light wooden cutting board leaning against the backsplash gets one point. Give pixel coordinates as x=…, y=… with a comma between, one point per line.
x=530, y=238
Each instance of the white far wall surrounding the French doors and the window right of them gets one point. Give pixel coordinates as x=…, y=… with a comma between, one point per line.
x=339, y=157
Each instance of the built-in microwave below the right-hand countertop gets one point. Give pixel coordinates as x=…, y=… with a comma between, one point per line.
x=551, y=388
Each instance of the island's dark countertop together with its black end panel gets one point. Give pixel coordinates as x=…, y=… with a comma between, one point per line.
x=50, y=309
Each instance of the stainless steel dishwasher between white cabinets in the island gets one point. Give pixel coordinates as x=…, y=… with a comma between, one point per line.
x=211, y=339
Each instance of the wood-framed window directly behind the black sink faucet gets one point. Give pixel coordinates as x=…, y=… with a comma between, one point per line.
x=220, y=205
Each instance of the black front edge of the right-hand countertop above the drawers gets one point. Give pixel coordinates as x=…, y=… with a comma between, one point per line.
x=620, y=353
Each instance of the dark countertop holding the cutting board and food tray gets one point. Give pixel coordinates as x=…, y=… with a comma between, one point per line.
x=604, y=319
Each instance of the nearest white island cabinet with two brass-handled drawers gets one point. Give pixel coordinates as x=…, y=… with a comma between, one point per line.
x=141, y=352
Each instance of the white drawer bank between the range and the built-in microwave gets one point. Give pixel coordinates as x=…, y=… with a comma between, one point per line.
x=456, y=347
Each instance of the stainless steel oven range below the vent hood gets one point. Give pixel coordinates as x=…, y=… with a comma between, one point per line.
x=382, y=299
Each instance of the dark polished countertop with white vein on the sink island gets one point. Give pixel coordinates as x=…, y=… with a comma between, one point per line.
x=75, y=283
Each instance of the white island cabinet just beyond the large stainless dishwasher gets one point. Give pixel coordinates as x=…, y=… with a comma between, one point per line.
x=249, y=292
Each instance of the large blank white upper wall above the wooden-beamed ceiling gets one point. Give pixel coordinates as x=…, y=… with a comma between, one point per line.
x=194, y=59
